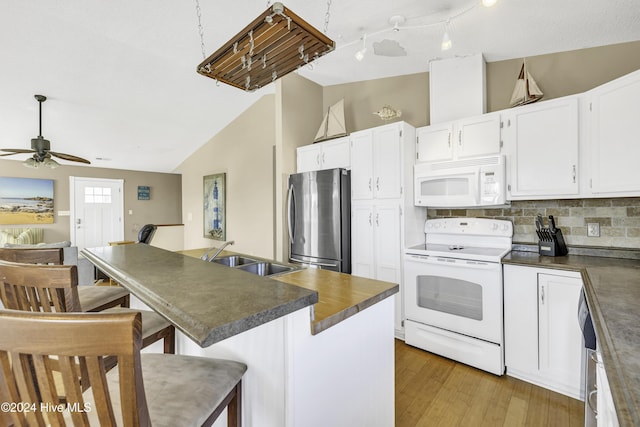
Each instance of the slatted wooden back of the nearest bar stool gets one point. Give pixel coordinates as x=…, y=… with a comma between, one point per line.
x=52, y=341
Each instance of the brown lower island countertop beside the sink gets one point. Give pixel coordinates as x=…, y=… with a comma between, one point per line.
x=340, y=295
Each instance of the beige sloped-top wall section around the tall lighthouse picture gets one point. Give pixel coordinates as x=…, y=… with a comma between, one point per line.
x=244, y=151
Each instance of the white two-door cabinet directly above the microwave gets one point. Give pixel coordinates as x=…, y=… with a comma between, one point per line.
x=471, y=137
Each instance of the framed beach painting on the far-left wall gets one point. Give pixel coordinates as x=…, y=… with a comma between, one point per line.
x=26, y=201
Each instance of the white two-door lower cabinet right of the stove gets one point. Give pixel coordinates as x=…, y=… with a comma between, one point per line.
x=543, y=339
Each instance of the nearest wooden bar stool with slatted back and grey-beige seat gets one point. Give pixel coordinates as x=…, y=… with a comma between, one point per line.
x=146, y=389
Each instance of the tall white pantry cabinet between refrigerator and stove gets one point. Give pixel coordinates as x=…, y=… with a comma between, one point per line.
x=383, y=217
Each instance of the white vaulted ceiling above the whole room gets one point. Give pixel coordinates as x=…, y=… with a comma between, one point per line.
x=121, y=81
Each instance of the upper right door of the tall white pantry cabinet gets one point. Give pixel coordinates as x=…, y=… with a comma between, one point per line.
x=387, y=163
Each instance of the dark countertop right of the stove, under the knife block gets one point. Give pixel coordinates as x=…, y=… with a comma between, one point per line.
x=612, y=287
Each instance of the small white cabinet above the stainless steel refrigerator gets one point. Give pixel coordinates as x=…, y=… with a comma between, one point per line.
x=335, y=153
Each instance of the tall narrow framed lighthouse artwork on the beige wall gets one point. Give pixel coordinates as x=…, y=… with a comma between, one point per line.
x=214, y=206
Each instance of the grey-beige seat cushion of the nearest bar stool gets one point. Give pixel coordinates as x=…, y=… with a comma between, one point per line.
x=180, y=390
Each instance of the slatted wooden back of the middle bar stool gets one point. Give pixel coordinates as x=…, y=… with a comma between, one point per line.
x=35, y=287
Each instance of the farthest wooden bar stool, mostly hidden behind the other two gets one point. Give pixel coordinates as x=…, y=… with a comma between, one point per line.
x=92, y=298
